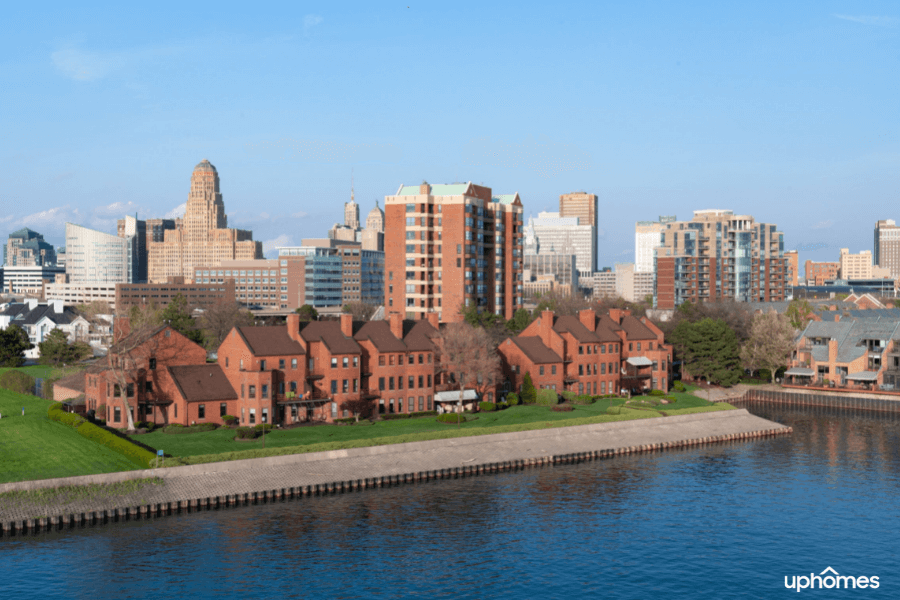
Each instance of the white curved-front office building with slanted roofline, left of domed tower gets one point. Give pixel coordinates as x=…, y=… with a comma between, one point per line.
x=102, y=258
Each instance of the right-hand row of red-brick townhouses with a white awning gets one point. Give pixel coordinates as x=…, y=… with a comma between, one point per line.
x=588, y=354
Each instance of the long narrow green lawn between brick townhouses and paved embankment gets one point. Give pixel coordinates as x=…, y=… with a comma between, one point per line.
x=328, y=436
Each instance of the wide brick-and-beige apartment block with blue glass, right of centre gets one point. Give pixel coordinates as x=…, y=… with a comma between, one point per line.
x=719, y=255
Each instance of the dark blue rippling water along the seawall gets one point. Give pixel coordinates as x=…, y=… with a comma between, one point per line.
x=725, y=521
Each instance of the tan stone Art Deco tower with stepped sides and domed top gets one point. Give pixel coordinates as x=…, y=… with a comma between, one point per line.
x=203, y=239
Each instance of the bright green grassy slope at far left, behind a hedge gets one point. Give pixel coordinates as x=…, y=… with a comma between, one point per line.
x=34, y=447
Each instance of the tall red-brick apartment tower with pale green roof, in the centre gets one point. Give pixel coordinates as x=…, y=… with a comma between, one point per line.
x=449, y=246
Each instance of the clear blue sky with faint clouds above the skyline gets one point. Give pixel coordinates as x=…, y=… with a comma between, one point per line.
x=789, y=112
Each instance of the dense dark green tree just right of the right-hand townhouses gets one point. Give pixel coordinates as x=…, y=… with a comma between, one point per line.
x=709, y=349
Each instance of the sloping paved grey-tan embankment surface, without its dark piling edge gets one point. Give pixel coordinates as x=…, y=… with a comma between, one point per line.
x=295, y=471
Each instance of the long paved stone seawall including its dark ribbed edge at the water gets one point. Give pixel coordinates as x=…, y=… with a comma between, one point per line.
x=238, y=483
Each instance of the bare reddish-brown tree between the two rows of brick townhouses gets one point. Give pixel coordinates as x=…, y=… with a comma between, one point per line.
x=468, y=355
